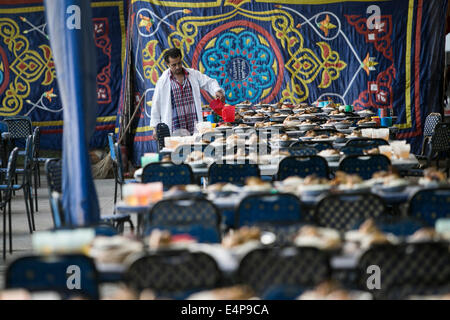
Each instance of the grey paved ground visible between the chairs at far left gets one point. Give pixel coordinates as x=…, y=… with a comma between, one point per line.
x=43, y=219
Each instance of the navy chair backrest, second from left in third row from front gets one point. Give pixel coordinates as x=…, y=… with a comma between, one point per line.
x=232, y=173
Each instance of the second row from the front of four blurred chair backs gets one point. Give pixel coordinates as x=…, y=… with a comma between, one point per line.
x=283, y=214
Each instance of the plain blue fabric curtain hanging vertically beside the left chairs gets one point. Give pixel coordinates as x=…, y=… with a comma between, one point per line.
x=71, y=39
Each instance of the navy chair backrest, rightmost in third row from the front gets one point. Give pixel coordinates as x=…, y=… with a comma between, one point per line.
x=365, y=166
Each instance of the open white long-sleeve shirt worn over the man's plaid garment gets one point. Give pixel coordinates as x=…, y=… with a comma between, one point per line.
x=162, y=103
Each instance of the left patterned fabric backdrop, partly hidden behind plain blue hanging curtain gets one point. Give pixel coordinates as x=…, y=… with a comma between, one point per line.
x=27, y=73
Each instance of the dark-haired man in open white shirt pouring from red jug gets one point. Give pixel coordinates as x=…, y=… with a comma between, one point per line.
x=177, y=99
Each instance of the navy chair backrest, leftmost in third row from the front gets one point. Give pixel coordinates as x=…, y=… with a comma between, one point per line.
x=168, y=173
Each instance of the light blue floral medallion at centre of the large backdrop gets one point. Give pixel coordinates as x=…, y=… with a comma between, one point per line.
x=242, y=65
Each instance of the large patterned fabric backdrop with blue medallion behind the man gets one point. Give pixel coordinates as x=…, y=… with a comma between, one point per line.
x=371, y=54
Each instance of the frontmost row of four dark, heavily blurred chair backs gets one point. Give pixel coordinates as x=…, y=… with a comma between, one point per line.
x=282, y=272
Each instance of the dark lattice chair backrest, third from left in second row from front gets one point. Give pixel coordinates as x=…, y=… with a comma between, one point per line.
x=344, y=211
